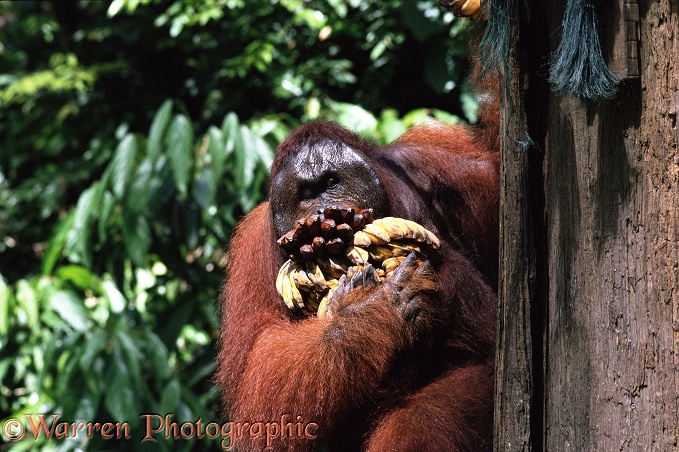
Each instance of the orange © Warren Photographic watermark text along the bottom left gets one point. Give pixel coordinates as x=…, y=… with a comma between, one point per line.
x=156, y=426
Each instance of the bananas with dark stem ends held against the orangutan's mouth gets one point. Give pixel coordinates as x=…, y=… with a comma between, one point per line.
x=326, y=245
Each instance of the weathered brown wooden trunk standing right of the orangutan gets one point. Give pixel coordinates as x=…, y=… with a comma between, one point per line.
x=602, y=340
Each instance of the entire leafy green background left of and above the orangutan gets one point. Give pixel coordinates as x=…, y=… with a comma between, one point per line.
x=133, y=136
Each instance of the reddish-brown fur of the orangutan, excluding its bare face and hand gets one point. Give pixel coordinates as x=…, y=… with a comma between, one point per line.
x=364, y=379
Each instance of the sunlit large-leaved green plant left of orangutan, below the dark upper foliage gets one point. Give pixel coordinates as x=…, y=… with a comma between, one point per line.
x=122, y=322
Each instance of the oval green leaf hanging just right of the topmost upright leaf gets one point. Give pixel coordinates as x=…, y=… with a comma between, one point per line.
x=179, y=141
